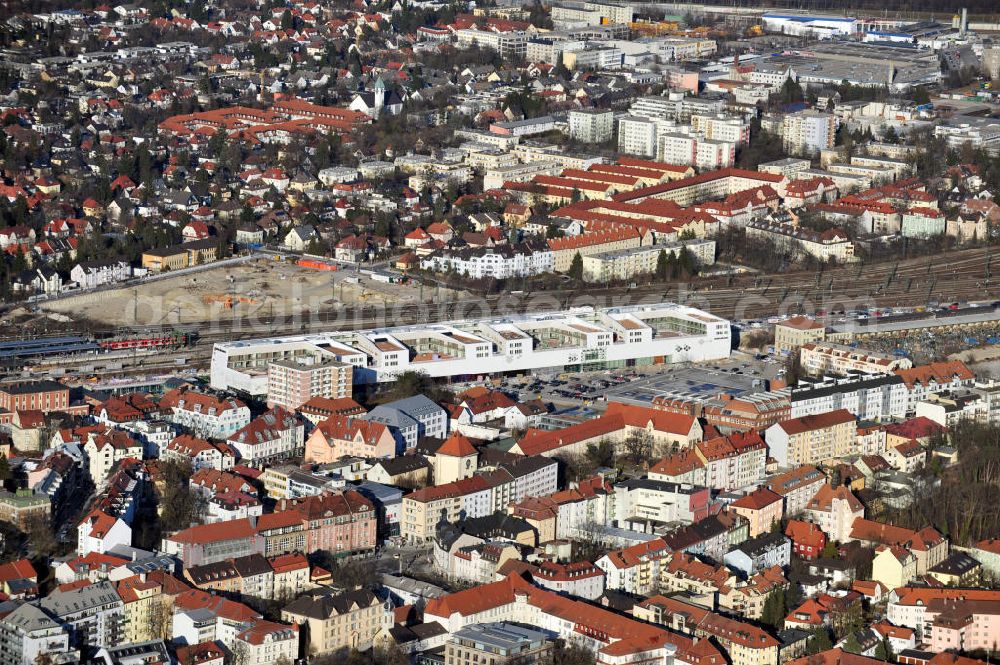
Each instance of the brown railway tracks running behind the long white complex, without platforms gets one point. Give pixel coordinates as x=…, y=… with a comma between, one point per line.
x=960, y=275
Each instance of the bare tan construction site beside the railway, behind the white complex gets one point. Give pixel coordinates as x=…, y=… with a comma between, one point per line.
x=263, y=288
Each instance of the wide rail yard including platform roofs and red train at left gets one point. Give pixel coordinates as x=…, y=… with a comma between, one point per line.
x=965, y=276
